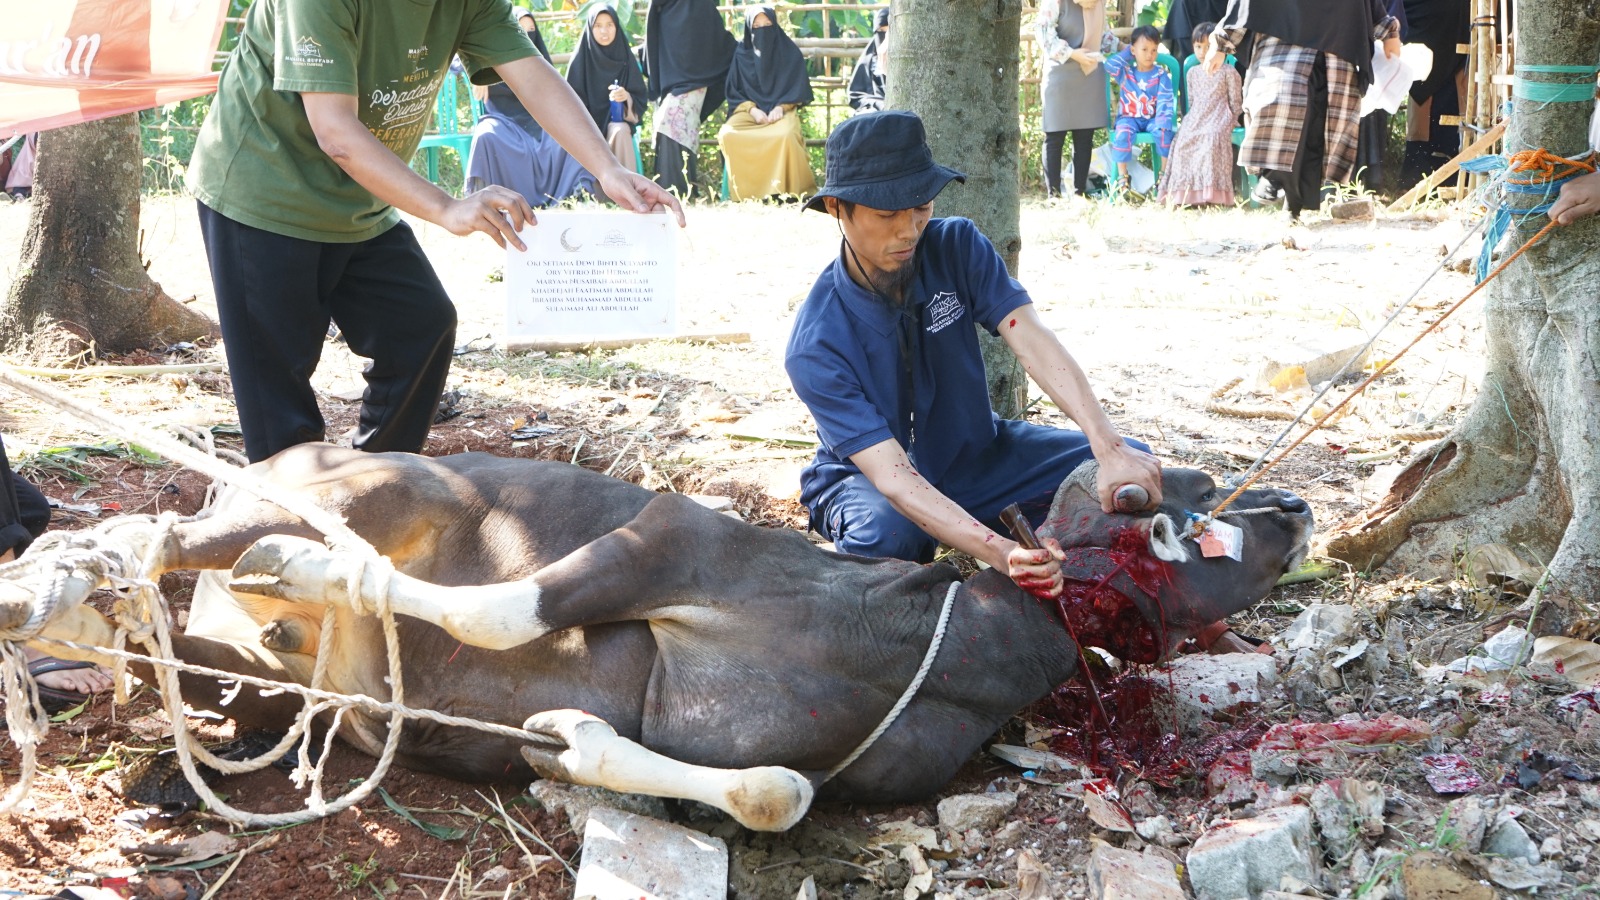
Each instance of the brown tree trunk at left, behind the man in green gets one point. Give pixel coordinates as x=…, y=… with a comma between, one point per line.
x=81, y=284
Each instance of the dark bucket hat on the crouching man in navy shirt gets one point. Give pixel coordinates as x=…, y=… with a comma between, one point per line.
x=882, y=161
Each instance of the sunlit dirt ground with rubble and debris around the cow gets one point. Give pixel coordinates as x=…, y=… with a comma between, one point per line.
x=1175, y=316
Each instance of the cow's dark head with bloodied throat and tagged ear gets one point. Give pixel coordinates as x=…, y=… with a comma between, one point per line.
x=1126, y=598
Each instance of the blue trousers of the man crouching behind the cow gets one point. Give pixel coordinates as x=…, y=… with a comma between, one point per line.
x=1025, y=465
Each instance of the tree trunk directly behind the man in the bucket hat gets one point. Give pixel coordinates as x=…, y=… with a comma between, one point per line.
x=956, y=66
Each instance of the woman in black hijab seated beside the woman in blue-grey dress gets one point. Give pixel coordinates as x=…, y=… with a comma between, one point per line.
x=606, y=78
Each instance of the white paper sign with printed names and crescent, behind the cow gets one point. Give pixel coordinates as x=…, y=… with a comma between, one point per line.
x=593, y=276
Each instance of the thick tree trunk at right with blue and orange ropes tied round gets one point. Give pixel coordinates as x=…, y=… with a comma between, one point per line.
x=1524, y=468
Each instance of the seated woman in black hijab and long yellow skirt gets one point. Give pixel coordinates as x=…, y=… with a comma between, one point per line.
x=762, y=140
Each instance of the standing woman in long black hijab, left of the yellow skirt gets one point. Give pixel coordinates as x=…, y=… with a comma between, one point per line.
x=687, y=55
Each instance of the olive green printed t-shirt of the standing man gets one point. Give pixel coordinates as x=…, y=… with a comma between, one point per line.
x=257, y=159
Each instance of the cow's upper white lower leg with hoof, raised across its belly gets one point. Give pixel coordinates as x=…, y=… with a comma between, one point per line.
x=497, y=617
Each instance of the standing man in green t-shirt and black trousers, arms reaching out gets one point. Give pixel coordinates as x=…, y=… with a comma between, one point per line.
x=302, y=177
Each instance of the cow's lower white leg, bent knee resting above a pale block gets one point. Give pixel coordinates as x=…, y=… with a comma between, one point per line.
x=767, y=798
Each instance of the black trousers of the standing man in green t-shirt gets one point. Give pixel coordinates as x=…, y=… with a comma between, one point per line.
x=276, y=297
